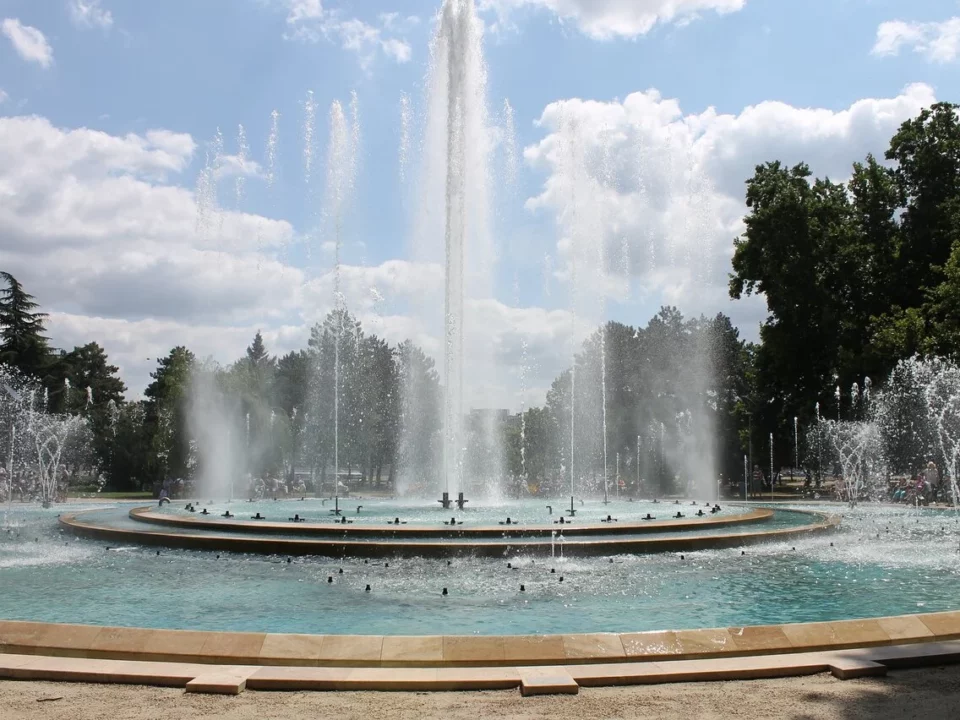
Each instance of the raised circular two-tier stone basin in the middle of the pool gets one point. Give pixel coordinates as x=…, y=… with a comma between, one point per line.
x=424, y=538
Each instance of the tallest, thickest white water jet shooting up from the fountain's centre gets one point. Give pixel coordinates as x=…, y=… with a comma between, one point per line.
x=455, y=176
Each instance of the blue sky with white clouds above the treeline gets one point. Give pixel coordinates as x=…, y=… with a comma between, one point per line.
x=109, y=111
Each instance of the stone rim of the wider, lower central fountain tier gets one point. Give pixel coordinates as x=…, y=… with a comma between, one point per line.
x=391, y=547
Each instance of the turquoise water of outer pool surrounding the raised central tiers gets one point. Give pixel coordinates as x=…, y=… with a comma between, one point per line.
x=883, y=561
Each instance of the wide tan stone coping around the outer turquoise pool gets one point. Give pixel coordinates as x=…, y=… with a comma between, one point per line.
x=453, y=651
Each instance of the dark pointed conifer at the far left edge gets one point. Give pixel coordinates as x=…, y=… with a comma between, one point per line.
x=22, y=342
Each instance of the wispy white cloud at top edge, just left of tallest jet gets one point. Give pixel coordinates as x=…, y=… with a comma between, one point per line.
x=310, y=21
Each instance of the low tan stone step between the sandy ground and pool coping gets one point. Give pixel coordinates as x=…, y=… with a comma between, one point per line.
x=532, y=680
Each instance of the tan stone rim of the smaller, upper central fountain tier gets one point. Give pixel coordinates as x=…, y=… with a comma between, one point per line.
x=331, y=529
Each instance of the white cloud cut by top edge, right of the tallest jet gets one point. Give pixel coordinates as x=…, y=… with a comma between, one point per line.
x=609, y=19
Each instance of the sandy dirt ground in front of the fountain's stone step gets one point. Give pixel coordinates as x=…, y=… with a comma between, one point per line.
x=928, y=694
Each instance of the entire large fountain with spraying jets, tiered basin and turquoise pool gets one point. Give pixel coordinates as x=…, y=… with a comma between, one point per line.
x=253, y=561
